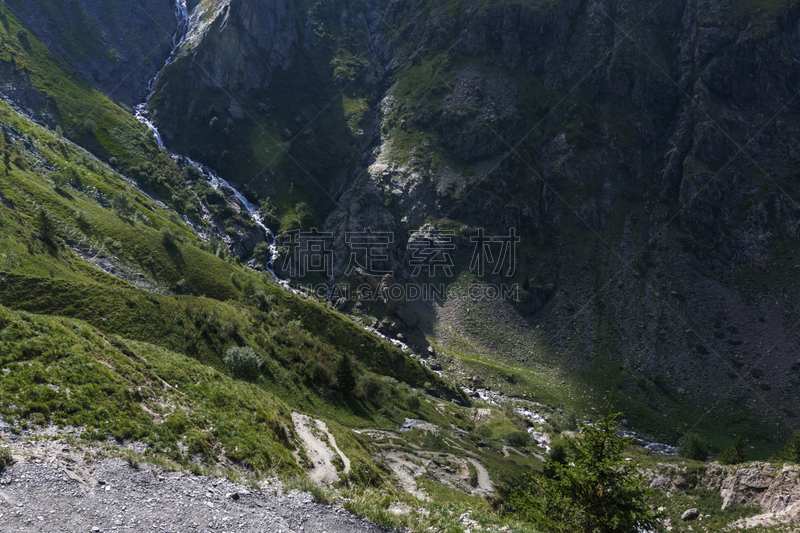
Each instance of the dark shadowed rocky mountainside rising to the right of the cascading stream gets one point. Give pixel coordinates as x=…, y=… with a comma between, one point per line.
x=643, y=151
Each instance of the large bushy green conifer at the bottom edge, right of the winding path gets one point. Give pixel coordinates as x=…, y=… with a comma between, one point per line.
x=595, y=492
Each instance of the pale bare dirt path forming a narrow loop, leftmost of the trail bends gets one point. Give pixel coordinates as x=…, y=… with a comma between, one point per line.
x=311, y=431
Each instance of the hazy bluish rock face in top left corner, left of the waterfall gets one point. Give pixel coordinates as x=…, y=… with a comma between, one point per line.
x=117, y=46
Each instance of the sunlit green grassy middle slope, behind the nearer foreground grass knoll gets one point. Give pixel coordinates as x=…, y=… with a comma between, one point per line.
x=299, y=340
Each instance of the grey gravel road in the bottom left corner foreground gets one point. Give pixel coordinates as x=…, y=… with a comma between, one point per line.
x=49, y=490
